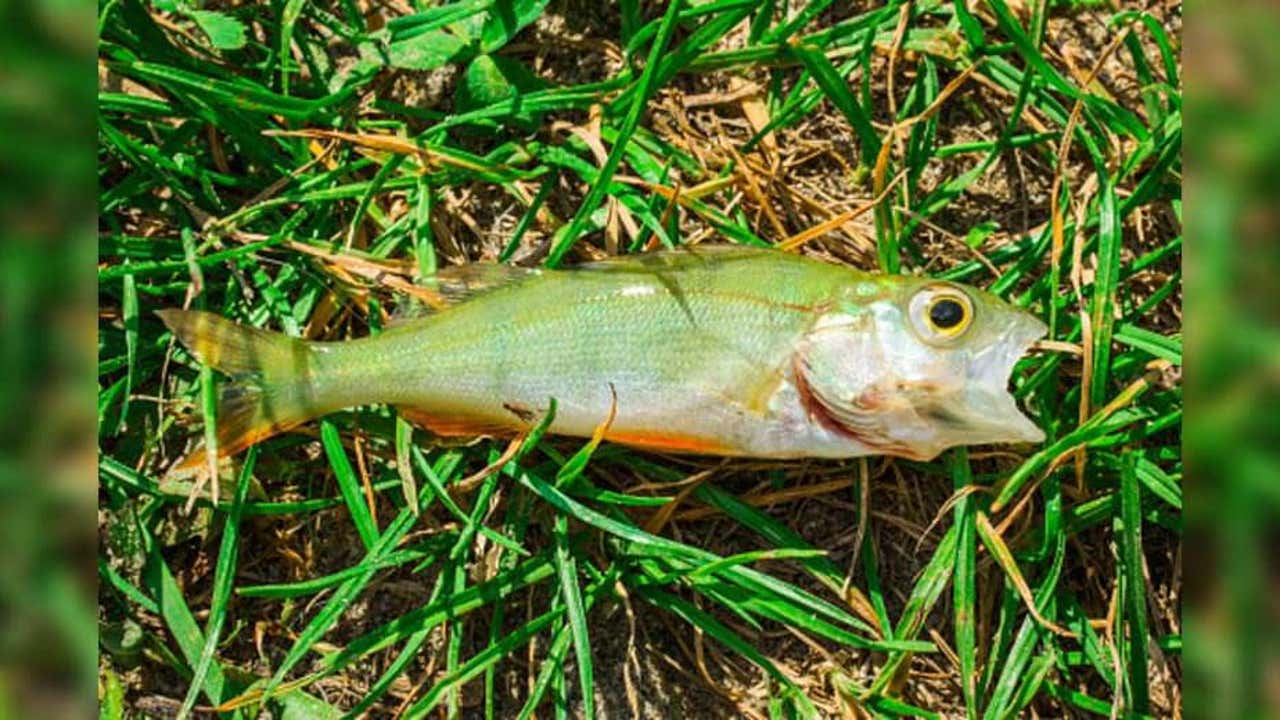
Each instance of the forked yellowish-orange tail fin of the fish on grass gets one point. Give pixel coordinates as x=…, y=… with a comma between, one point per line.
x=272, y=393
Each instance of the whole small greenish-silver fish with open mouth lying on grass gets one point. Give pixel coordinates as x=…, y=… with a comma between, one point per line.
x=708, y=350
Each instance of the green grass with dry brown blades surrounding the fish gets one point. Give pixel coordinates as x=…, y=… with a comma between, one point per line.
x=204, y=200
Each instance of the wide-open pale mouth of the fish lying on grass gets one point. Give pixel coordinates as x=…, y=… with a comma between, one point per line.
x=989, y=412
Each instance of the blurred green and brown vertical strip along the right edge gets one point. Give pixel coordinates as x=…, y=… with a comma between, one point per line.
x=1232, y=266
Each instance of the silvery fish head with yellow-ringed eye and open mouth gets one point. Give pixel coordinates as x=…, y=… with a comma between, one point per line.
x=912, y=367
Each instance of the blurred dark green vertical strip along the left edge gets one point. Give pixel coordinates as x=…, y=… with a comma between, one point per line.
x=48, y=348
